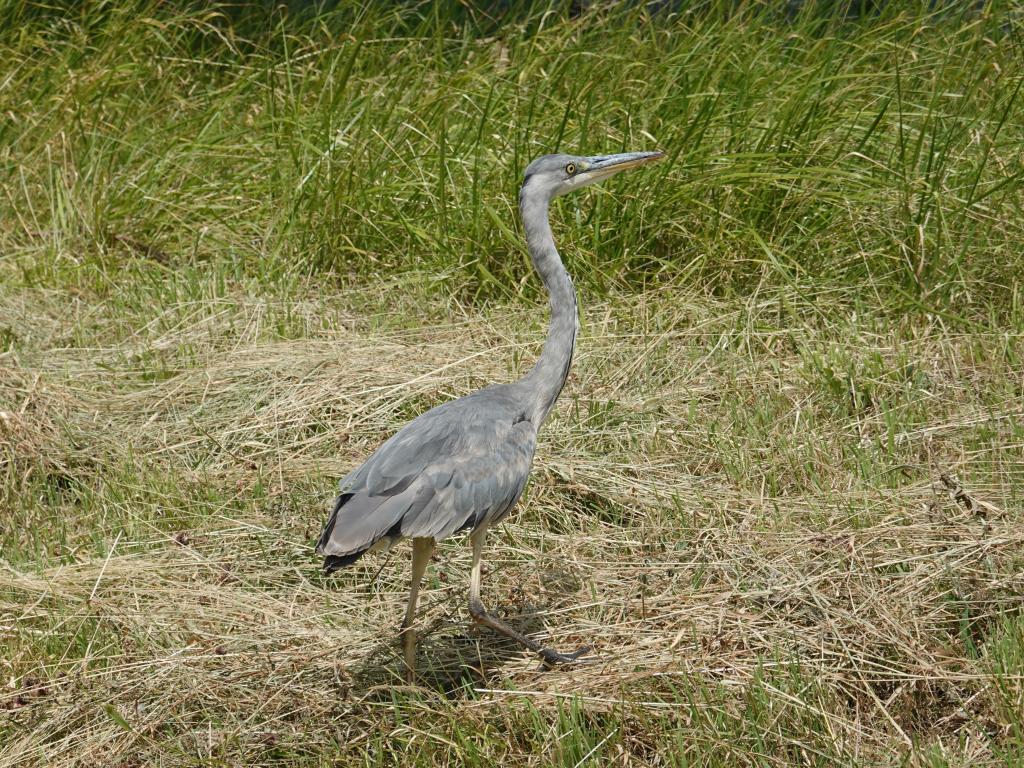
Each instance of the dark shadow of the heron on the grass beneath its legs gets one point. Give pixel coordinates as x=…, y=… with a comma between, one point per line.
x=455, y=655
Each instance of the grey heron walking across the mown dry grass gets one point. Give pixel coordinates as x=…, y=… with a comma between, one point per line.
x=464, y=464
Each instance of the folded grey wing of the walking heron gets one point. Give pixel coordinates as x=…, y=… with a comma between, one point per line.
x=458, y=466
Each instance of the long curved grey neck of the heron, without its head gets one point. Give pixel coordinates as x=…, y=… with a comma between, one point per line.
x=546, y=379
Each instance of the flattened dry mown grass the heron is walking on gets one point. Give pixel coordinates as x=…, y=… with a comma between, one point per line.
x=176, y=615
